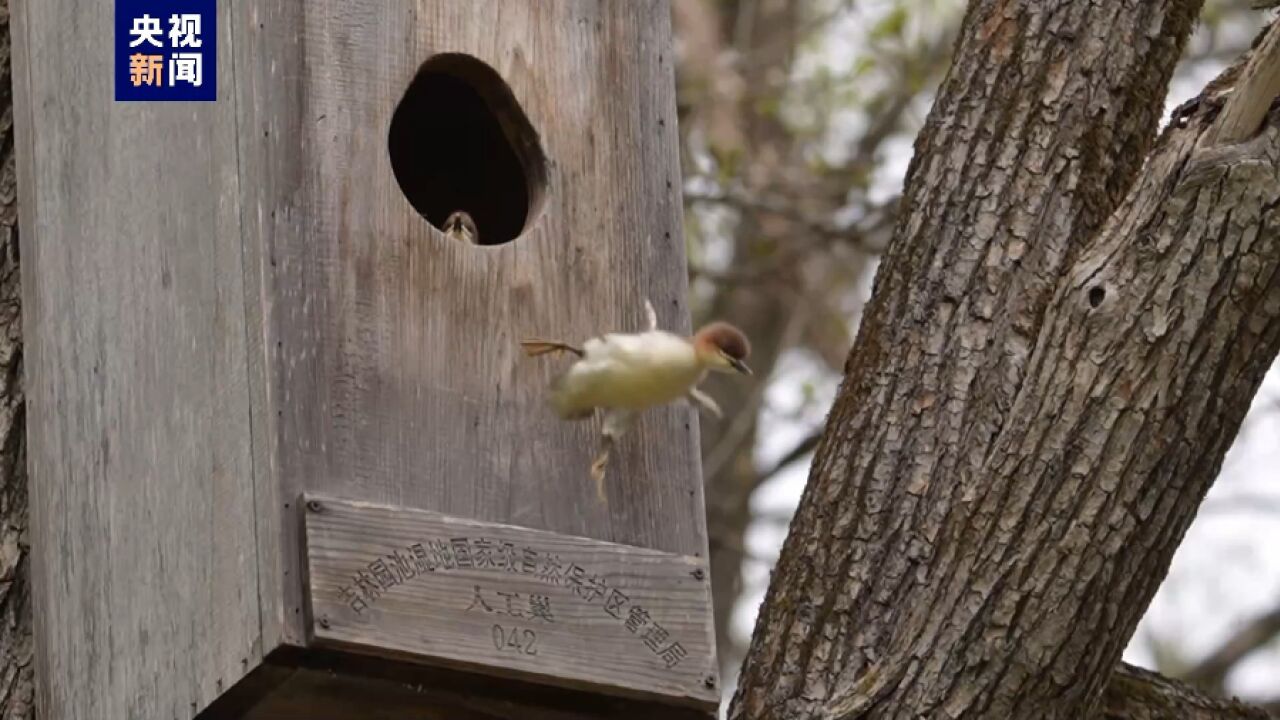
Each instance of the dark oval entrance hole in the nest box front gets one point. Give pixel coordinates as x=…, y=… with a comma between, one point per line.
x=459, y=140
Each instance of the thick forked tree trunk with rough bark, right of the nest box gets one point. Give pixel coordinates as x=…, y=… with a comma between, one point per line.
x=1058, y=354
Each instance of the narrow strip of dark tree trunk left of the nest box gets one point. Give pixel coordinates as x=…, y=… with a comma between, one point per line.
x=17, y=689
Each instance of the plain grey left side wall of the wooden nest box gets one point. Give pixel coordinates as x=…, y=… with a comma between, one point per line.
x=145, y=572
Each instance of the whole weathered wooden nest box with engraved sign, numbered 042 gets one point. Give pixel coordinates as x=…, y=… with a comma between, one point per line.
x=287, y=459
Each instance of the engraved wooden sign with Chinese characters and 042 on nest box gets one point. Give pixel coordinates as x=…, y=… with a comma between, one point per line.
x=513, y=601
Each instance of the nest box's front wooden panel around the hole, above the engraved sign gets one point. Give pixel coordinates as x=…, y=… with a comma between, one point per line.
x=394, y=370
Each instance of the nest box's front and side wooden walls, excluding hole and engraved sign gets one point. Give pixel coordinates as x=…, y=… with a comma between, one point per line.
x=231, y=304
